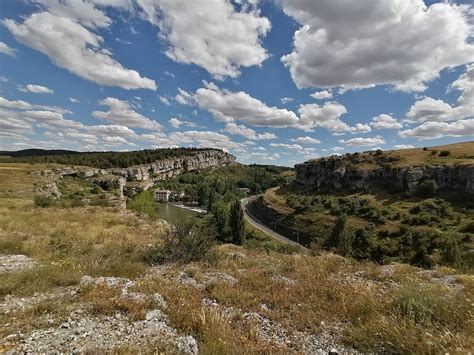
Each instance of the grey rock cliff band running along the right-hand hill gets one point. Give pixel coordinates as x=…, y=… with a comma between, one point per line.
x=338, y=173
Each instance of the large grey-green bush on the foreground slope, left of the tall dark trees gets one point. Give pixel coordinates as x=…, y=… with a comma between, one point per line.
x=185, y=242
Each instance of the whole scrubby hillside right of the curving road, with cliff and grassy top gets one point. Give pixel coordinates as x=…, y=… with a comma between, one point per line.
x=405, y=210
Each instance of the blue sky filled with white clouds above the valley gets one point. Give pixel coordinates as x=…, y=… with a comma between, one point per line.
x=270, y=81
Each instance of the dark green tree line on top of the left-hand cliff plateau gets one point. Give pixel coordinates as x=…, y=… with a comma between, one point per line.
x=106, y=160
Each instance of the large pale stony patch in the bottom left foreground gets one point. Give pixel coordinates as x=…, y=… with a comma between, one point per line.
x=83, y=333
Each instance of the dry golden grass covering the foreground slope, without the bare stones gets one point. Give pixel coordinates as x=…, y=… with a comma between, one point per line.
x=361, y=305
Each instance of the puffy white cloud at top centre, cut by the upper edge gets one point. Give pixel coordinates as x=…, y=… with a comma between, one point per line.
x=212, y=34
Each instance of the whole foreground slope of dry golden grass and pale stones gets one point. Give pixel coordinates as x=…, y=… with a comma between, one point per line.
x=78, y=277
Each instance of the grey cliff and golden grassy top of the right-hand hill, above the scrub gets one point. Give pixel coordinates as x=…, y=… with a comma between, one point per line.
x=411, y=170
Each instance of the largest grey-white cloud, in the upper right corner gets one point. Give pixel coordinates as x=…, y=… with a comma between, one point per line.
x=363, y=43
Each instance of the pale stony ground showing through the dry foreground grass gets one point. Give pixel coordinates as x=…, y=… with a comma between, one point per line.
x=81, y=330
